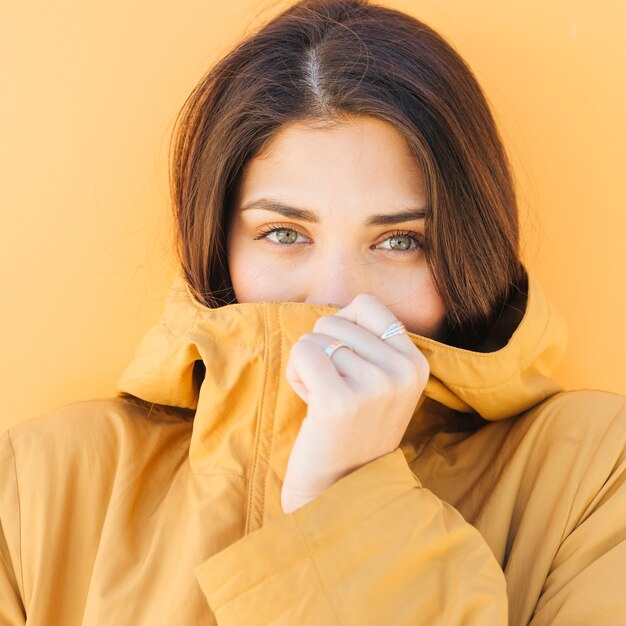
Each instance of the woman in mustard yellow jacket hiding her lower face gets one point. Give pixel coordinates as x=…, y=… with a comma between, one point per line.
x=346, y=414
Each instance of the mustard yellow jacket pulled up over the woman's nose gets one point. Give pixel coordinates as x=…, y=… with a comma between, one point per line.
x=504, y=504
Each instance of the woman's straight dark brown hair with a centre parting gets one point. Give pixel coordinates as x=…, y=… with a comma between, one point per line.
x=323, y=61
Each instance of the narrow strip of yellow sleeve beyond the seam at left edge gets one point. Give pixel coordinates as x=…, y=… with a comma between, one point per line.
x=12, y=612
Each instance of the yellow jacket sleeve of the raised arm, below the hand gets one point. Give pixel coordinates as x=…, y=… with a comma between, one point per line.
x=374, y=548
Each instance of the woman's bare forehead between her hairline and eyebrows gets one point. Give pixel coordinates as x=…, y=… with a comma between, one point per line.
x=363, y=163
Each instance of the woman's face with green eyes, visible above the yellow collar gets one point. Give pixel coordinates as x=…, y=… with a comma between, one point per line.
x=325, y=214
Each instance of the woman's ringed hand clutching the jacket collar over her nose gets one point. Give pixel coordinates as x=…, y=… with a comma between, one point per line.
x=359, y=401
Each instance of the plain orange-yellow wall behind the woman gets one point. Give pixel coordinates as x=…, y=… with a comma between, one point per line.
x=90, y=92
